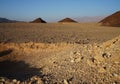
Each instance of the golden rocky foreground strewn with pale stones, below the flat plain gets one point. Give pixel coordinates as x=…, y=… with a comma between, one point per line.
x=61, y=62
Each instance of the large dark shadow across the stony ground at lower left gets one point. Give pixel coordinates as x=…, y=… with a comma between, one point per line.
x=18, y=70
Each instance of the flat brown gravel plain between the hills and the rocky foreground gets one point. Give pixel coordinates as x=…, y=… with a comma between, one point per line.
x=81, y=33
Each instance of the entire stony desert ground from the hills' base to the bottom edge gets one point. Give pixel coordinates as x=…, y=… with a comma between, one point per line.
x=90, y=56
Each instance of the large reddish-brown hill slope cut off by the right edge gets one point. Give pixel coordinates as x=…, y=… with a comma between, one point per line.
x=112, y=20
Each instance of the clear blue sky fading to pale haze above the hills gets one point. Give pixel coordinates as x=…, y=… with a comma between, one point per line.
x=53, y=10
